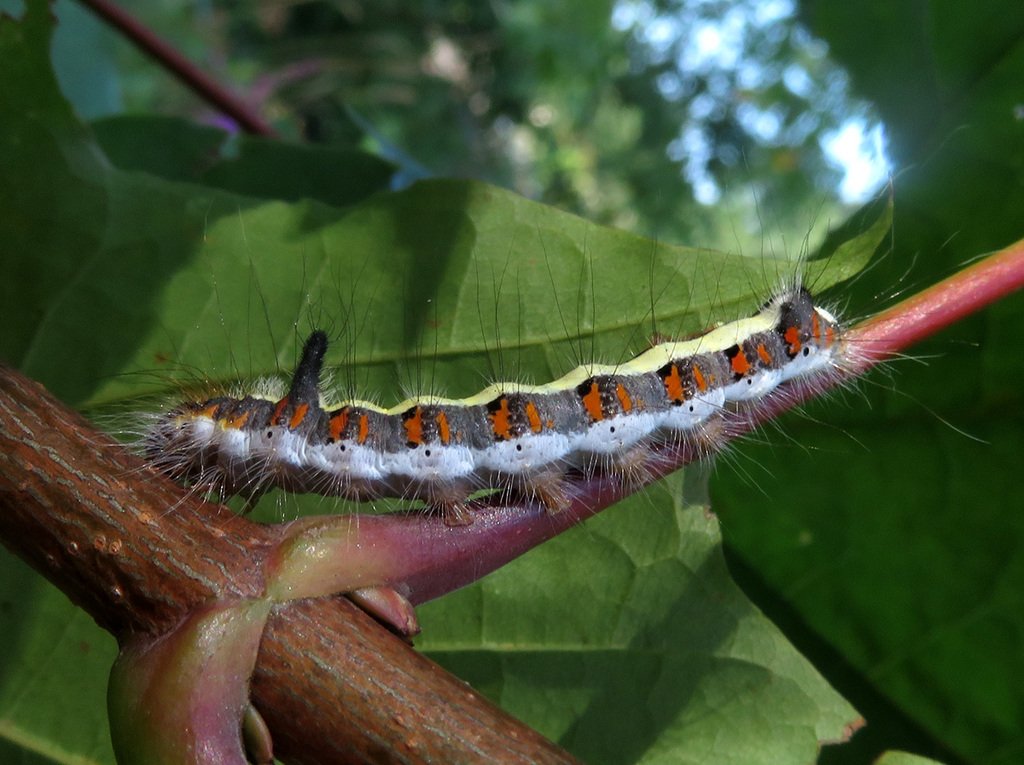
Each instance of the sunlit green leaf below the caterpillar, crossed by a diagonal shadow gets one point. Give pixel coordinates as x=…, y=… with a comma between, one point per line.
x=626, y=642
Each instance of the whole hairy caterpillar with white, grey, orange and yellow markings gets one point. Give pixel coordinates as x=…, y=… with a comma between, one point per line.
x=519, y=439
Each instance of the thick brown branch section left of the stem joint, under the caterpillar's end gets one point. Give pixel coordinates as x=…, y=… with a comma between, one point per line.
x=81, y=511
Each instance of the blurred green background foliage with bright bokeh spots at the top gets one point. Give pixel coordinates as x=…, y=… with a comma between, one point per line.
x=627, y=113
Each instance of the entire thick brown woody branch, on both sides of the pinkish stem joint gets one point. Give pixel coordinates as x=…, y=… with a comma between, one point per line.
x=124, y=545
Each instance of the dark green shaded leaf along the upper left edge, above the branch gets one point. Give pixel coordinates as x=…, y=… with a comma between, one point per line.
x=50, y=165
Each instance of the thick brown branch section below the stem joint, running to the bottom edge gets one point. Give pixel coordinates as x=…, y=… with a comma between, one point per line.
x=428, y=715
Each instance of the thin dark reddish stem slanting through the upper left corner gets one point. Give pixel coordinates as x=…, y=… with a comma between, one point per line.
x=196, y=79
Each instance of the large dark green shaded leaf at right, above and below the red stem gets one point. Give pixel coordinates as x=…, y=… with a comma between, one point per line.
x=897, y=536
